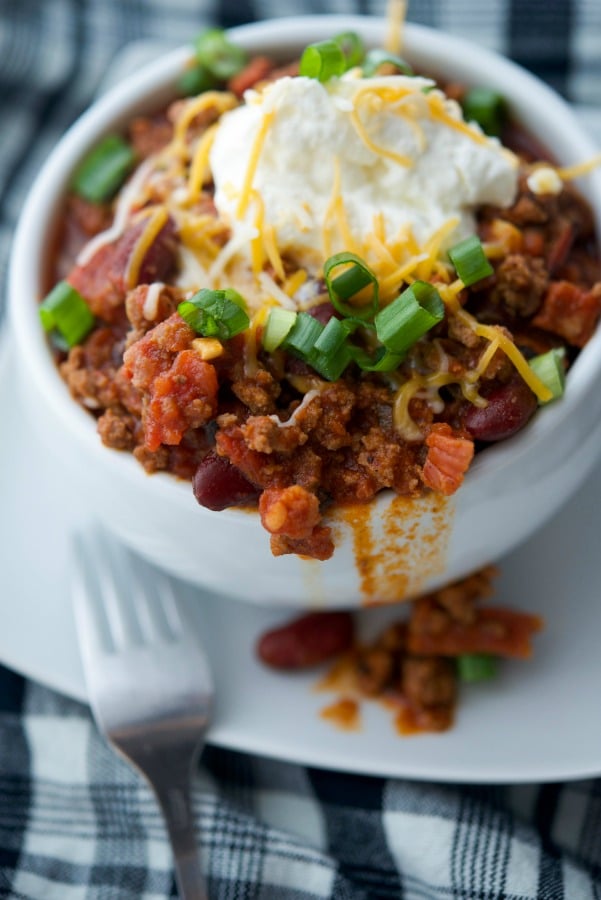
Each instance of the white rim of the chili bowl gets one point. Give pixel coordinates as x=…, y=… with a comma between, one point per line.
x=288, y=35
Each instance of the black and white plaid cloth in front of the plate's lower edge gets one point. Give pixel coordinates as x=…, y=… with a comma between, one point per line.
x=77, y=824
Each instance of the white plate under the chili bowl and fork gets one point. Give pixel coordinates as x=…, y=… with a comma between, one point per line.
x=538, y=721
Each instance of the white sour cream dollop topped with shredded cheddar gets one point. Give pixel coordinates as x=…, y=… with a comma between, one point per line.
x=392, y=147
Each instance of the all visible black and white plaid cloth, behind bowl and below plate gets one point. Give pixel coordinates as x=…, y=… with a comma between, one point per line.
x=75, y=822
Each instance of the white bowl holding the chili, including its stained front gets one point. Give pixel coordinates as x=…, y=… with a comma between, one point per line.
x=392, y=548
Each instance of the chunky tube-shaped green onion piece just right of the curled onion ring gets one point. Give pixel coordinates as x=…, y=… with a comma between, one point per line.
x=400, y=324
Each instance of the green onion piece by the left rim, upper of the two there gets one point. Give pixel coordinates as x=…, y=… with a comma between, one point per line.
x=104, y=170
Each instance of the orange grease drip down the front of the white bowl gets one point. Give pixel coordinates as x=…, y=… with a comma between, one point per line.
x=400, y=546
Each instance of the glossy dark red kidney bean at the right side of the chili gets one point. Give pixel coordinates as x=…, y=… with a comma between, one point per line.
x=510, y=406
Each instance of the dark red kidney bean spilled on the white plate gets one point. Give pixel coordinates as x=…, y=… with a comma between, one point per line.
x=306, y=641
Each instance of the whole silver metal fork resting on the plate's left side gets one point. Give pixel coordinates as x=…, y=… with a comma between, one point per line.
x=148, y=681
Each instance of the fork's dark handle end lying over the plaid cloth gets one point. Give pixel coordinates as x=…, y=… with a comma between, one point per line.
x=175, y=802
